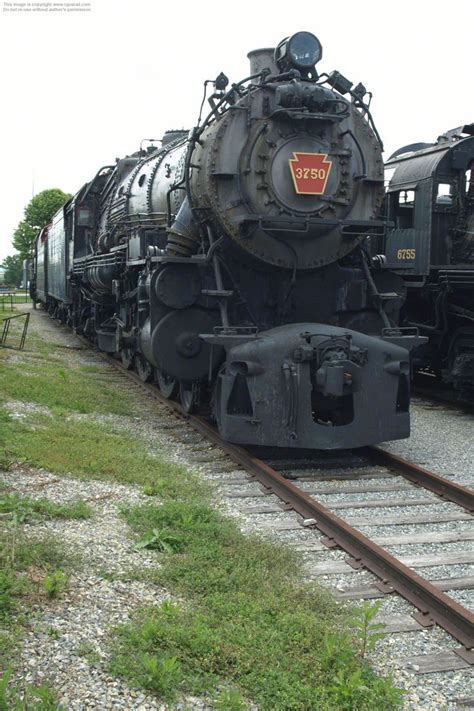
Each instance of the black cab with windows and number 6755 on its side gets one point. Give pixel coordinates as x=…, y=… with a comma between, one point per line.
x=429, y=200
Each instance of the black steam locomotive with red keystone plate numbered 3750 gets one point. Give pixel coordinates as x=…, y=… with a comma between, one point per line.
x=230, y=263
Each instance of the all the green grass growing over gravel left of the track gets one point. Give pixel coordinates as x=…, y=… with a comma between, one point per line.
x=248, y=628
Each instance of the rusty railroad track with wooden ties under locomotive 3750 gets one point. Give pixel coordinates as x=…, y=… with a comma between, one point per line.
x=302, y=481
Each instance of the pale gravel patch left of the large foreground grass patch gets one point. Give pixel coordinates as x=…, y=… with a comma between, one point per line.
x=67, y=641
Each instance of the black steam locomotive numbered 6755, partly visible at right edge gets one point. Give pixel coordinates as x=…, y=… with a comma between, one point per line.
x=430, y=201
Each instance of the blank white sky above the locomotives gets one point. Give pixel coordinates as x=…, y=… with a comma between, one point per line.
x=80, y=89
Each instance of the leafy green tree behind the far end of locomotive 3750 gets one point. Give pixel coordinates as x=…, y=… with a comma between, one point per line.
x=38, y=213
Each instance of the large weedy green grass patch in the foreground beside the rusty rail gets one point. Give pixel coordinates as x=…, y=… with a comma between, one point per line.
x=249, y=620
